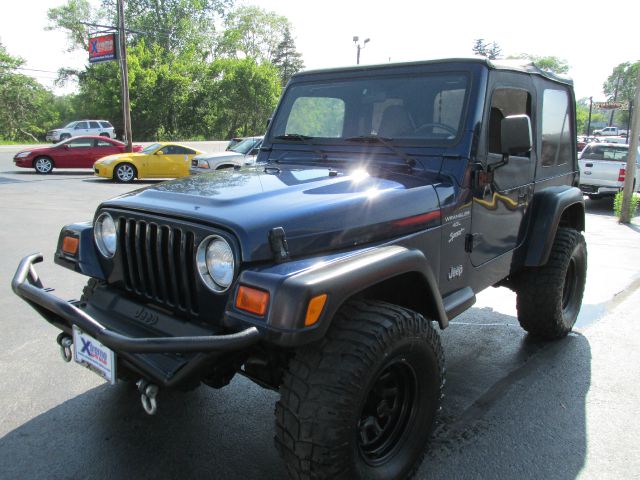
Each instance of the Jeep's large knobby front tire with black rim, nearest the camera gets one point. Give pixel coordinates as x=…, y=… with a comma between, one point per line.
x=375, y=357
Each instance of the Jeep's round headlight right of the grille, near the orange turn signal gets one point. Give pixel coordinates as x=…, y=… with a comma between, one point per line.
x=215, y=263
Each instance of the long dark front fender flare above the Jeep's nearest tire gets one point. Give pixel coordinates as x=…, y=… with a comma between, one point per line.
x=340, y=279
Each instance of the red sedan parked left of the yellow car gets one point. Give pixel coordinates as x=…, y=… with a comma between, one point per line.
x=76, y=152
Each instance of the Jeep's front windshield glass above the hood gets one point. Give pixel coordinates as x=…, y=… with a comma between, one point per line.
x=426, y=109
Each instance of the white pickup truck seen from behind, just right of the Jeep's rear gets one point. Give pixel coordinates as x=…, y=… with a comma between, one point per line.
x=602, y=169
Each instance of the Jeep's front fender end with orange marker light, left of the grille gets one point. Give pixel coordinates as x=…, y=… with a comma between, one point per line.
x=86, y=260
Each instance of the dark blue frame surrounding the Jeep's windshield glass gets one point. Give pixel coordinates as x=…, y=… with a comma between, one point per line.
x=278, y=130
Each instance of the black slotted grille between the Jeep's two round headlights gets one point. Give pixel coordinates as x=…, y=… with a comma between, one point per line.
x=158, y=263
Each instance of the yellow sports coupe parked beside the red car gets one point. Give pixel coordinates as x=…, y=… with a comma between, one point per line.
x=158, y=160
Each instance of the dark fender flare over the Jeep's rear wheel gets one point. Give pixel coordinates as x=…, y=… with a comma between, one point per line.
x=548, y=208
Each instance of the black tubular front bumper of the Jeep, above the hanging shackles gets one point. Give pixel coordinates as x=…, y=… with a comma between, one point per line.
x=137, y=351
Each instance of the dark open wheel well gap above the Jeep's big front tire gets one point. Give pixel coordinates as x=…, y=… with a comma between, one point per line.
x=409, y=290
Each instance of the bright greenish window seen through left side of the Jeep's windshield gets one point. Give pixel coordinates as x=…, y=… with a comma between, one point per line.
x=317, y=117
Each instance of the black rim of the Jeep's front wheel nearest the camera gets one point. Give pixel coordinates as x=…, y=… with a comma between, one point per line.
x=388, y=409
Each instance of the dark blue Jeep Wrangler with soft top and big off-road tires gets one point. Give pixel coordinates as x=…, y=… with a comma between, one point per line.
x=383, y=200
